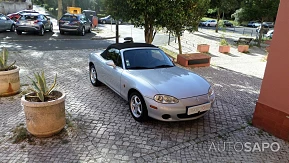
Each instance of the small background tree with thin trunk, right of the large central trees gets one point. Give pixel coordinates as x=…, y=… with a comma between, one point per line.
x=222, y=6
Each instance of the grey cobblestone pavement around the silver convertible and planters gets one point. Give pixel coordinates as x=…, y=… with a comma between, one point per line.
x=101, y=129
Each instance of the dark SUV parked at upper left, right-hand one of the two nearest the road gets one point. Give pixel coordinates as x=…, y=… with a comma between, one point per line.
x=75, y=23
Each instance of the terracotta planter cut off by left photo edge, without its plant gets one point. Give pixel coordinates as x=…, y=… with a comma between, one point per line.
x=9, y=82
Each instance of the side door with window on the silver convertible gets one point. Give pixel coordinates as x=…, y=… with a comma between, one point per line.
x=115, y=72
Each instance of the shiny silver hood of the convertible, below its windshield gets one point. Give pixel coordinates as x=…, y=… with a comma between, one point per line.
x=173, y=81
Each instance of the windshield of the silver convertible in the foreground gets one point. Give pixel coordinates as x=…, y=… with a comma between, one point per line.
x=146, y=59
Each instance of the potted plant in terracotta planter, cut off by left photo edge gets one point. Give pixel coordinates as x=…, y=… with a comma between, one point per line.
x=9, y=76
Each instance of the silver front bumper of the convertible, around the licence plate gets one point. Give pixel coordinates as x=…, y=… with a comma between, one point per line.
x=178, y=111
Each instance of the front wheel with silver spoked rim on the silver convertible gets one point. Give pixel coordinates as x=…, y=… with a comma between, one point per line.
x=138, y=107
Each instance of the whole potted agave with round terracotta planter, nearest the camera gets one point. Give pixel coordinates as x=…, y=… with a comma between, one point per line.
x=44, y=107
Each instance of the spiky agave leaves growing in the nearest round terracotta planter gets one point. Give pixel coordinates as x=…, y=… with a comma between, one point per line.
x=40, y=88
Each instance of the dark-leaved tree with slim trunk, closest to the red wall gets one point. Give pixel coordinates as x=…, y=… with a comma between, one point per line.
x=261, y=10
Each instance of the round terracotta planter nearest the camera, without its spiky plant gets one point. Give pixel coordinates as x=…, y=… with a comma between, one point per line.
x=44, y=119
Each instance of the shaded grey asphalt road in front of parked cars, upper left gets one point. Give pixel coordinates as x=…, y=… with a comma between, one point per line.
x=50, y=41
